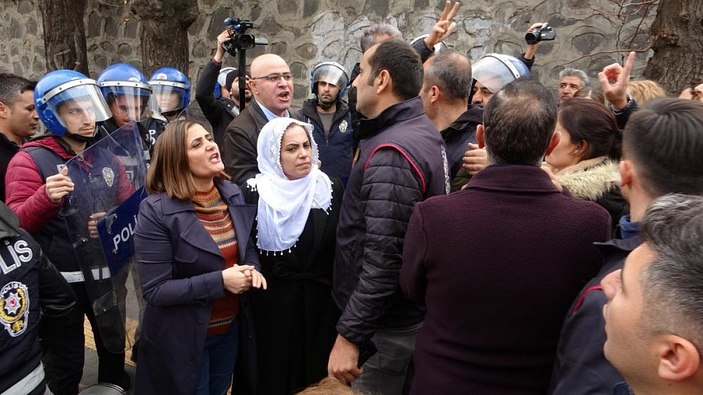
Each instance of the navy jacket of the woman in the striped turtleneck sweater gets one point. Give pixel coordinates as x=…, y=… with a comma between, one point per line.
x=180, y=268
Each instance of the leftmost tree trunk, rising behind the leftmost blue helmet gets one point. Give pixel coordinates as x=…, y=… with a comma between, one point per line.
x=64, y=34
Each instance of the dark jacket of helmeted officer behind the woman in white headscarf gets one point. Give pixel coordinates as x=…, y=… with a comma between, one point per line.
x=336, y=149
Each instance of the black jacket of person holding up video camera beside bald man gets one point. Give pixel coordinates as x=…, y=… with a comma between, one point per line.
x=219, y=112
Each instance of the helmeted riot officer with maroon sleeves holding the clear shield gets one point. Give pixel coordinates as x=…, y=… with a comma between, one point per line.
x=39, y=190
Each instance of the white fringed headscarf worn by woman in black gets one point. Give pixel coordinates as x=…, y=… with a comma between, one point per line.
x=284, y=205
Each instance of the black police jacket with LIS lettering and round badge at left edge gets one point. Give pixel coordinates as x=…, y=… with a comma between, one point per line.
x=30, y=286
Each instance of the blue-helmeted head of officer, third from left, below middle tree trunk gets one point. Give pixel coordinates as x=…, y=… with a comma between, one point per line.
x=170, y=90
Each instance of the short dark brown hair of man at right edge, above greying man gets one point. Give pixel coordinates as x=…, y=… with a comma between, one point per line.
x=664, y=139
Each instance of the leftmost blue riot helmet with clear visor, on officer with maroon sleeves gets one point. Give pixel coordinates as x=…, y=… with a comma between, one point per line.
x=68, y=102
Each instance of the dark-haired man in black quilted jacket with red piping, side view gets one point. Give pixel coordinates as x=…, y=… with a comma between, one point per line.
x=400, y=161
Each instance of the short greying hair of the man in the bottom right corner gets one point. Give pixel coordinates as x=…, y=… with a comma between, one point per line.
x=673, y=297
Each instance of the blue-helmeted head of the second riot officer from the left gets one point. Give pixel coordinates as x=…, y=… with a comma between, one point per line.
x=126, y=92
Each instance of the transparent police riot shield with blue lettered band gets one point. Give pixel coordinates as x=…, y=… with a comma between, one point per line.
x=100, y=215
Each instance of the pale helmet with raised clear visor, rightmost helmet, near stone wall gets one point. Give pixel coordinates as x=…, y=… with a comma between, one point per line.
x=494, y=71
